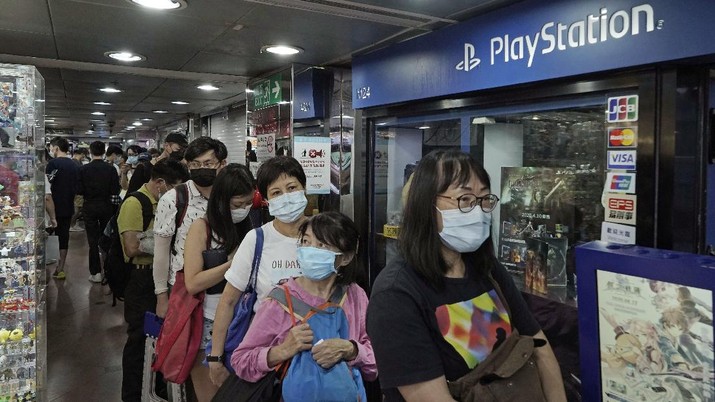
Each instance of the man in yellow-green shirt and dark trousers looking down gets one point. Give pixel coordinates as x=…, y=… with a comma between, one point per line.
x=139, y=293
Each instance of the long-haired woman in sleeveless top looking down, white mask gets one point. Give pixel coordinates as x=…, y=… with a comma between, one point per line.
x=210, y=246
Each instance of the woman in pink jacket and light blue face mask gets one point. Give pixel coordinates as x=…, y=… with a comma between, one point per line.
x=327, y=247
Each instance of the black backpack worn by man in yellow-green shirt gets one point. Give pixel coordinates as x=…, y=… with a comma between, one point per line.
x=116, y=270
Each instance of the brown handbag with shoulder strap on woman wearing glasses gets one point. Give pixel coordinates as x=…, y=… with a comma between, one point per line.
x=508, y=373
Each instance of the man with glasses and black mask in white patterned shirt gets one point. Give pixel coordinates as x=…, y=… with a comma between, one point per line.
x=206, y=157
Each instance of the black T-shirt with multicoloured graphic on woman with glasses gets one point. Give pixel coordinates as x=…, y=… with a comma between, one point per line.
x=420, y=332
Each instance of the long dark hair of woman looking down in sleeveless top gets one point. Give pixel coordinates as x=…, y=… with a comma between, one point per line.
x=233, y=180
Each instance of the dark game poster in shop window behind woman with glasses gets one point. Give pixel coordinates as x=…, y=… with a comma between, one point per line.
x=536, y=222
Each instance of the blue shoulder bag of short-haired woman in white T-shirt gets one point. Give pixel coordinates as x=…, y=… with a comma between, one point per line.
x=243, y=312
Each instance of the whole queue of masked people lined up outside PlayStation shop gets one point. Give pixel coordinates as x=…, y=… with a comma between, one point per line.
x=434, y=314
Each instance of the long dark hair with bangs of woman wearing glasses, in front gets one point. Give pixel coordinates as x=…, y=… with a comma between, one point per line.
x=419, y=240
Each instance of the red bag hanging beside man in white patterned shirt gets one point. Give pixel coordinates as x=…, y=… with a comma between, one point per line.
x=180, y=336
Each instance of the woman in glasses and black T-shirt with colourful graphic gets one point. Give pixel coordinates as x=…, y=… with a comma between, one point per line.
x=434, y=313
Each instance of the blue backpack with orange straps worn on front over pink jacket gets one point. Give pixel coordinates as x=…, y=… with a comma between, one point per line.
x=305, y=379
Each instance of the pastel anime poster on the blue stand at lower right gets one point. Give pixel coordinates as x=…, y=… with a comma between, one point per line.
x=656, y=340
